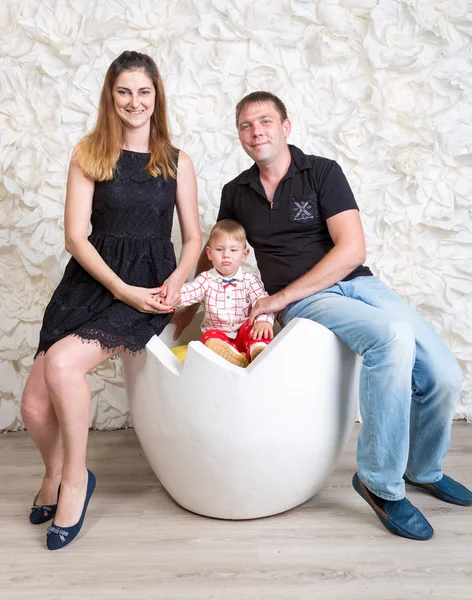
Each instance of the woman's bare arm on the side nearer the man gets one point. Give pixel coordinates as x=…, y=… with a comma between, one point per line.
x=187, y=212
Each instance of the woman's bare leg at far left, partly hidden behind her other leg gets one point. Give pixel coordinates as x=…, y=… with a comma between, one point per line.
x=41, y=422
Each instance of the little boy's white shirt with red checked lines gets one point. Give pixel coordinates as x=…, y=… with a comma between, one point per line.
x=226, y=305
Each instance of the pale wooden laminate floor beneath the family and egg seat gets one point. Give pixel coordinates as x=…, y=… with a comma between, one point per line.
x=138, y=544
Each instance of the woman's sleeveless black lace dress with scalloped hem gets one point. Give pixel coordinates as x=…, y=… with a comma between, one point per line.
x=131, y=229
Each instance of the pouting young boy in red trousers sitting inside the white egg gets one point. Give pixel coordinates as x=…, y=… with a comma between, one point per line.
x=228, y=293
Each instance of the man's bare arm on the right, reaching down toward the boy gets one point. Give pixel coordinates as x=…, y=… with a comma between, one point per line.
x=347, y=234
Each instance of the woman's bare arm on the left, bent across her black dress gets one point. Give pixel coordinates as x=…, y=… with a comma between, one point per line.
x=78, y=210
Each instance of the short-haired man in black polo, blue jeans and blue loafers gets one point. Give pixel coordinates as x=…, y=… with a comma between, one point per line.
x=303, y=222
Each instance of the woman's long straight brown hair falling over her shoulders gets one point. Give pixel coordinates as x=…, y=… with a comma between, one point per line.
x=98, y=152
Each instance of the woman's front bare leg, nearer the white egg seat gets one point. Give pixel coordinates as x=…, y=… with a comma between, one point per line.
x=66, y=365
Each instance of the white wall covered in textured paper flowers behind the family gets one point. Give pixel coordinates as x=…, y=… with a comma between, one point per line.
x=384, y=87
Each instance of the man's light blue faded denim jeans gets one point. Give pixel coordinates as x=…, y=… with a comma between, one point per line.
x=410, y=382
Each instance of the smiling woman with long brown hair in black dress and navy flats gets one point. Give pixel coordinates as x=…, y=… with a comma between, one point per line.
x=124, y=177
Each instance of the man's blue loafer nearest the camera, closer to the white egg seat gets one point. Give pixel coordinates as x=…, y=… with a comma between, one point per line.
x=399, y=516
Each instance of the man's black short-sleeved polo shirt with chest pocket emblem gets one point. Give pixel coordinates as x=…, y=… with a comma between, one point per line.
x=292, y=237
